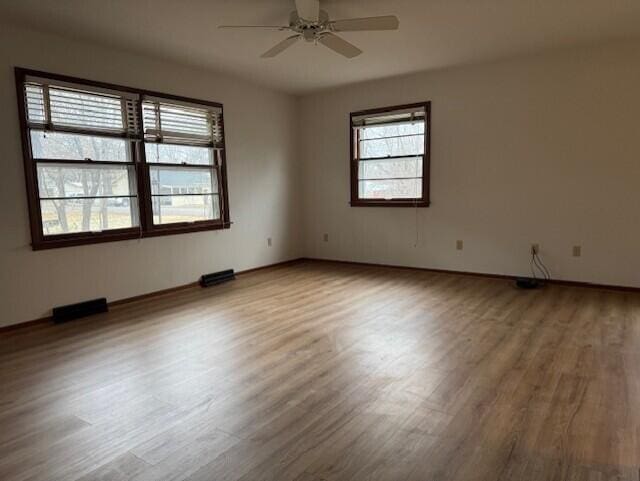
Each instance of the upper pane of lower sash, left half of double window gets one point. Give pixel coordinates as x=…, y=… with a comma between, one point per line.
x=65, y=180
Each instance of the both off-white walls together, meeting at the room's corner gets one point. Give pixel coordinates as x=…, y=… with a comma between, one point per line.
x=542, y=149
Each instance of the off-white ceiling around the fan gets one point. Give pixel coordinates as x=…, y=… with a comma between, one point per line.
x=433, y=33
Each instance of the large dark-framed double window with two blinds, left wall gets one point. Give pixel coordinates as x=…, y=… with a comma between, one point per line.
x=105, y=162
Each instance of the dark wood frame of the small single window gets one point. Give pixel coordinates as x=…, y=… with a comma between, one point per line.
x=424, y=201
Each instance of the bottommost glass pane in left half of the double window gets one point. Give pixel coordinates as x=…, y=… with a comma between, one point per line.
x=88, y=215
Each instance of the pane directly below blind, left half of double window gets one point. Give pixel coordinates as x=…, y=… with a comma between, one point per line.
x=56, y=145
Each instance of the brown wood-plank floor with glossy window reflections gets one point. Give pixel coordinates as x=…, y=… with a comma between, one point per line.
x=322, y=371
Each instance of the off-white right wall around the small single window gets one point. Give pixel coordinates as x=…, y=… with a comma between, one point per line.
x=543, y=149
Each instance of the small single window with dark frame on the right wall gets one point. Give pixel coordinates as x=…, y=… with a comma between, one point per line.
x=390, y=156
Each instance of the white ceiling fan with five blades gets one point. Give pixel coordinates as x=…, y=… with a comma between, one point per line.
x=312, y=24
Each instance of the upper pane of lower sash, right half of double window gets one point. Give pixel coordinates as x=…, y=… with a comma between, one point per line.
x=183, y=181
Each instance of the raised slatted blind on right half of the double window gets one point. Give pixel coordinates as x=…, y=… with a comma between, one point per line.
x=181, y=123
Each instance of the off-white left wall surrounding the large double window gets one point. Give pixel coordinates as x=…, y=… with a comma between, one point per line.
x=263, y=177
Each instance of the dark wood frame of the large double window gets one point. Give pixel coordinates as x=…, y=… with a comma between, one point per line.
x=146, y=227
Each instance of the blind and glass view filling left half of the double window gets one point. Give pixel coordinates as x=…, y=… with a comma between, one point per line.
x=81, y=187
